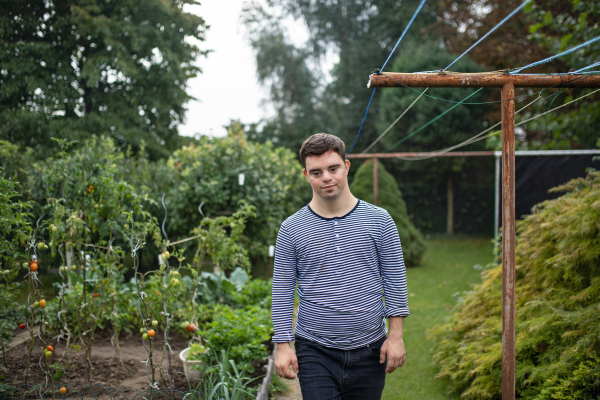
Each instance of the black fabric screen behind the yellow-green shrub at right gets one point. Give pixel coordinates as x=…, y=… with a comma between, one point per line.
x=535, y=175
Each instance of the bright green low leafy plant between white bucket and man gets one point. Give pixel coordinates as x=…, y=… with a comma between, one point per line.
x=241, y=332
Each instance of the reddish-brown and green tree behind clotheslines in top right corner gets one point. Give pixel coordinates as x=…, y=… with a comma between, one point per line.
x=542, y=29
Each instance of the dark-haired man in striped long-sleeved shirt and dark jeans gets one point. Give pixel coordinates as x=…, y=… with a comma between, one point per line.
x=345, y=256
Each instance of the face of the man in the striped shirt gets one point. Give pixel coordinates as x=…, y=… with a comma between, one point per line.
x=327, y=174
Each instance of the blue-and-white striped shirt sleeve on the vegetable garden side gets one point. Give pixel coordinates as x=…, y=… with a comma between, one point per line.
x=284, y=287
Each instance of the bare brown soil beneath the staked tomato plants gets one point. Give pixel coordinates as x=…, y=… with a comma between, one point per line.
x=107, y=370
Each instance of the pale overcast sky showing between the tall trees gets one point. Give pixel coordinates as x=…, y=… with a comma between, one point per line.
x=227, y=88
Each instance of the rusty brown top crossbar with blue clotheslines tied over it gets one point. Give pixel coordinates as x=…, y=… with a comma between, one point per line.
x=482, y=80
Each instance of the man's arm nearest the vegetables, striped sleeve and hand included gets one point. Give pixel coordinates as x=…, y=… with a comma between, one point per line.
x=284, y=287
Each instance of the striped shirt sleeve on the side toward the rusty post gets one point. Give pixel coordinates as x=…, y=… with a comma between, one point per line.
x=393, y=271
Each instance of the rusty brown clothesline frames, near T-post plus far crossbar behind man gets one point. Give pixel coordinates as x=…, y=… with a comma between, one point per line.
x=507, y=83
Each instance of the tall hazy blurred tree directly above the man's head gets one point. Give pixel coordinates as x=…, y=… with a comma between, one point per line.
x=362, y=33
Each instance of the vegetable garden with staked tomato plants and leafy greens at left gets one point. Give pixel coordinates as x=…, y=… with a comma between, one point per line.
x=71, y=267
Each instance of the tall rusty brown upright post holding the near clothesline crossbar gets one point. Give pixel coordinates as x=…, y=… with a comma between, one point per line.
x=508, y=241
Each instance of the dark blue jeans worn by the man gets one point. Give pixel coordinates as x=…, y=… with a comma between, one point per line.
x=333, y=374
